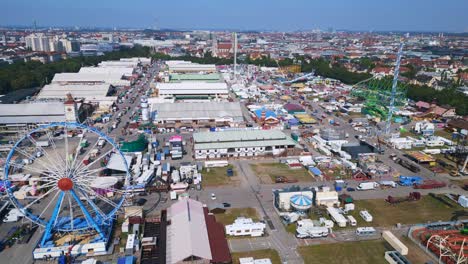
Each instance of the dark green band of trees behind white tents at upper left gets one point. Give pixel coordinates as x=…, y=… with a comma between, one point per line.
x=31, y=74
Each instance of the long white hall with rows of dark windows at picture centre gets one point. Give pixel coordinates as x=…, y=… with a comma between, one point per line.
x=241, y=143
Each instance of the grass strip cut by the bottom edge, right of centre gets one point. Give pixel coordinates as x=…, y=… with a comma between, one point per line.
x=363, y=252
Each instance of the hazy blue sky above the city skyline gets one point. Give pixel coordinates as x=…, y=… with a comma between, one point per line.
x=405, y=15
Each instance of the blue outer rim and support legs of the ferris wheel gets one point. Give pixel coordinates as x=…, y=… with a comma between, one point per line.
x=49, y=225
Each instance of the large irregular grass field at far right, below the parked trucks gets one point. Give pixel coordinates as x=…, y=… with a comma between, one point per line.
x=422, y=211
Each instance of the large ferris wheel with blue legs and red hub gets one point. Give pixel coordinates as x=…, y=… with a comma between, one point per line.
x=62, y=181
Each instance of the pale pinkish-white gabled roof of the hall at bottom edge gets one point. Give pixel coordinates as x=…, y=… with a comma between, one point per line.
x=187, y=235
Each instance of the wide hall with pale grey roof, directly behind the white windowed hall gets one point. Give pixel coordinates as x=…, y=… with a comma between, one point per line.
x=197, y=114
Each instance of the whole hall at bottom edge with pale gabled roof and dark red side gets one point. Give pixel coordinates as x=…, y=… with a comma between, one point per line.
x=194, y=236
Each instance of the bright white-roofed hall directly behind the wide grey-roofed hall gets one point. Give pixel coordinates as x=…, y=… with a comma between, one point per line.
x=193, y=90
